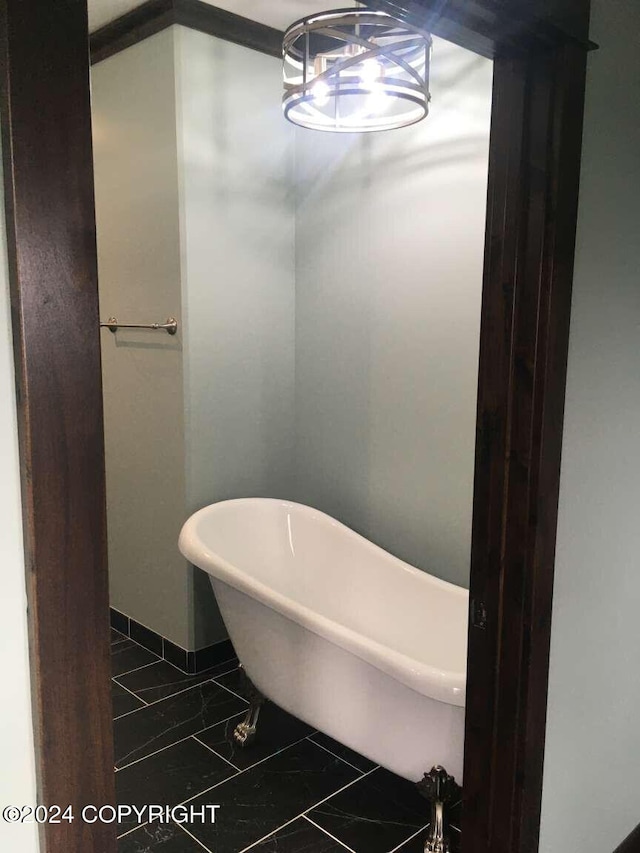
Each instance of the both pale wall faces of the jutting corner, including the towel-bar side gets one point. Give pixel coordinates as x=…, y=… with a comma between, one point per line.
x=195, y=219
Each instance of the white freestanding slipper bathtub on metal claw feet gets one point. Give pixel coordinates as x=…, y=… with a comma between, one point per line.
x=353, y=641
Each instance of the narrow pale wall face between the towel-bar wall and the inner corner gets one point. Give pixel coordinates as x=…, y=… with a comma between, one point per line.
x=238, y=294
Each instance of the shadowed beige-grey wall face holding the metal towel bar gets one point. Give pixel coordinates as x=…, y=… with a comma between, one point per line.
x=139, y=264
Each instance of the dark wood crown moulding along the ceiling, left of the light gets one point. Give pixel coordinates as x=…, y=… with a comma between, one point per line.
x=156, y=15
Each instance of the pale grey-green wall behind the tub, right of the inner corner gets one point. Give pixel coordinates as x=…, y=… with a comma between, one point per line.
x=389, y=259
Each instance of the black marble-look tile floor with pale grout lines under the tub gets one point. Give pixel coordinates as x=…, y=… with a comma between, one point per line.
x=294, y=790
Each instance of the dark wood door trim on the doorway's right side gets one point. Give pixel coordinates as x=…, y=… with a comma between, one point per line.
x=534, y=170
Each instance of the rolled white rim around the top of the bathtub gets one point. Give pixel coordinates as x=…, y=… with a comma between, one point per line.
x=448, y=686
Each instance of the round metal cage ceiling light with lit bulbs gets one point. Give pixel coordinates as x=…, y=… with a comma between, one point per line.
x=355, y=70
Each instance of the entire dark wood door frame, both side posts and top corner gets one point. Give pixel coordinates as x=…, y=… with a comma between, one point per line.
x=539, y=51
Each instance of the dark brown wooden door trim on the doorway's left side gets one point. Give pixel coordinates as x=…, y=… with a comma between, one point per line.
x=48, y=177
